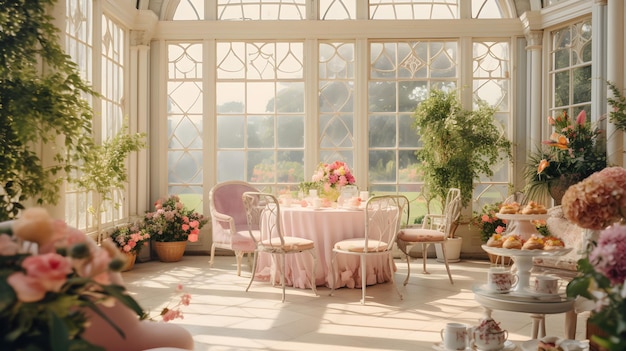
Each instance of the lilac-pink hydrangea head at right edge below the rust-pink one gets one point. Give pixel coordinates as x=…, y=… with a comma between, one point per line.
x=608, y=256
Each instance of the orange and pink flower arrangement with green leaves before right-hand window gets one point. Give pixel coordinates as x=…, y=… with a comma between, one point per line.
x=570, y=155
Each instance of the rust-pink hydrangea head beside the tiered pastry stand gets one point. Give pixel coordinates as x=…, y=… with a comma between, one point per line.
x=597, y=201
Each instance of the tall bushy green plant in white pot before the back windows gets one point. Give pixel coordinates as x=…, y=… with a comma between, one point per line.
x=458, y=146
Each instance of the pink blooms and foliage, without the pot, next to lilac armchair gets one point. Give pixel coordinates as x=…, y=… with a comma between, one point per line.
x=172, y=221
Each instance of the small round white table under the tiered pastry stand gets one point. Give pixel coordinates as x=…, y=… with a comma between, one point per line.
x=537, y=305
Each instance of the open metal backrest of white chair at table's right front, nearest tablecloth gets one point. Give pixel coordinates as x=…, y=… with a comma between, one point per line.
x=383, y=218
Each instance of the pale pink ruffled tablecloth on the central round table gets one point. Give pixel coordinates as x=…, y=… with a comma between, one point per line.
x=325, y=227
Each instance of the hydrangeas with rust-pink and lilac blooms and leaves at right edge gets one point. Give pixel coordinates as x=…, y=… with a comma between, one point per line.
x=595, y=203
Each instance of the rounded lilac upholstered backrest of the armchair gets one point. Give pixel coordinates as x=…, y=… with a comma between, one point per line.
x=225, y=198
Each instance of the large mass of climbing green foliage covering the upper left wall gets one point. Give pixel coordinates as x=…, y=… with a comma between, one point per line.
x=38, y=106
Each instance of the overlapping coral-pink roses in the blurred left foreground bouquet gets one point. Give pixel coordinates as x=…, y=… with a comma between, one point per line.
x=46, y=272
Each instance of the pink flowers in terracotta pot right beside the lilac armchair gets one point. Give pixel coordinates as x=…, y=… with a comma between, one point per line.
x=171, y=225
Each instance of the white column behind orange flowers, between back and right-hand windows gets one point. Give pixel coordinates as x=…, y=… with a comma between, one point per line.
x=535, y=119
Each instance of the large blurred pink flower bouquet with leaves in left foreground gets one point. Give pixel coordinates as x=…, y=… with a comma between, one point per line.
x=51, y=275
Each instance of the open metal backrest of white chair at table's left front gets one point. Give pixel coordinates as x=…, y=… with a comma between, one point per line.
x=263, y=218
